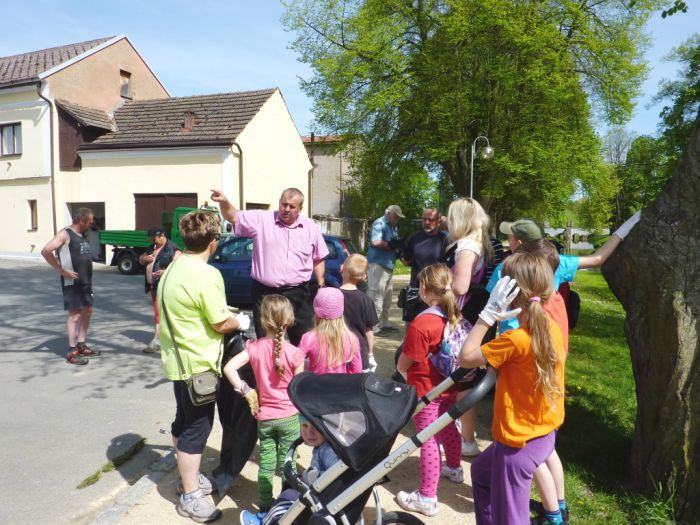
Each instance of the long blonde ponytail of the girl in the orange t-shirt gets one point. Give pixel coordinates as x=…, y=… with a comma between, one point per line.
x=536, y=281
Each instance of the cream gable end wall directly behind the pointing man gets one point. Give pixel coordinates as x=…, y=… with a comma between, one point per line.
x=274, y=157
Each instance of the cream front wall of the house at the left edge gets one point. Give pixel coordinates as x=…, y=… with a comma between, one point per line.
x=25, y=177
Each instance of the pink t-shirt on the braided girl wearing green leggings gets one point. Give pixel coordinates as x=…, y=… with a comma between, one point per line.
x=272, y=388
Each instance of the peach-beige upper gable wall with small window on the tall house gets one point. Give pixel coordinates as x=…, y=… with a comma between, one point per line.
x=94, y=81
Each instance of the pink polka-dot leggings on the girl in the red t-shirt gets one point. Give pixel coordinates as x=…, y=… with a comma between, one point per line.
x=430, y=460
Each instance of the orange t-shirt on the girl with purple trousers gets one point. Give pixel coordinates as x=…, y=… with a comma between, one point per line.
x=521, y=411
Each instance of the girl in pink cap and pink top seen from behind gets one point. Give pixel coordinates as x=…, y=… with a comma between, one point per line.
x=331, y=347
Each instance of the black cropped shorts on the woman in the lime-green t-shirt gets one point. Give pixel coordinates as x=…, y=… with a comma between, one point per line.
x=192, y=424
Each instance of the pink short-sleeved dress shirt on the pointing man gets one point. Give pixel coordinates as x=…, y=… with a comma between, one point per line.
x=282, y=255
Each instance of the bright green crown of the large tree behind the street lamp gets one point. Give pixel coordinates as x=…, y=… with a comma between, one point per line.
x=416, y=82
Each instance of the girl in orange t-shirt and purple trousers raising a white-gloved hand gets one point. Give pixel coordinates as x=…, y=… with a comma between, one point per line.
x=529, y=400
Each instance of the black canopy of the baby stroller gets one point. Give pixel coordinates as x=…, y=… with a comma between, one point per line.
x=358, y=414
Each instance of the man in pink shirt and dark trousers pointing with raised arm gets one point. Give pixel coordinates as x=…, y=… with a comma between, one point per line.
x=287, y=250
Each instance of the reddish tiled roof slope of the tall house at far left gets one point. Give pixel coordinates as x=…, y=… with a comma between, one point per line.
x=25, y=68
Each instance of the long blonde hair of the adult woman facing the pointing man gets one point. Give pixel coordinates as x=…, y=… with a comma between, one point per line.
x=466, y=219
